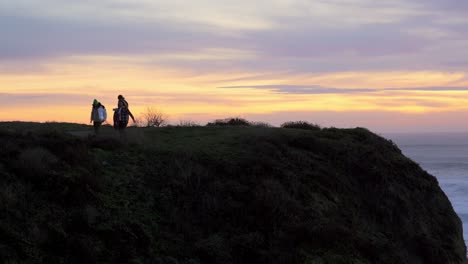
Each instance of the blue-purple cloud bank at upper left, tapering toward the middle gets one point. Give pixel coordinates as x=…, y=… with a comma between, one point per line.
x=33, y=37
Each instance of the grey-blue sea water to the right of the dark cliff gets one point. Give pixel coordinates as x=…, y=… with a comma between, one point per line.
x=444, y=155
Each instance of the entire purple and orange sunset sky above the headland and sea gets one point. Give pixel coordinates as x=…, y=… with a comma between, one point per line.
x=390, y=66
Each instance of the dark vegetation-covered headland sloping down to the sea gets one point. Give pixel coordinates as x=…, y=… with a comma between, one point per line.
x=218, y=194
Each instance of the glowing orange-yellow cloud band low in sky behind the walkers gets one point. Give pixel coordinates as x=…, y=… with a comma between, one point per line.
x=181, y=93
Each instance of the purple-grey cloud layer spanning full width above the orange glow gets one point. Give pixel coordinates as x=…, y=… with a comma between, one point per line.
x=298, y=45
